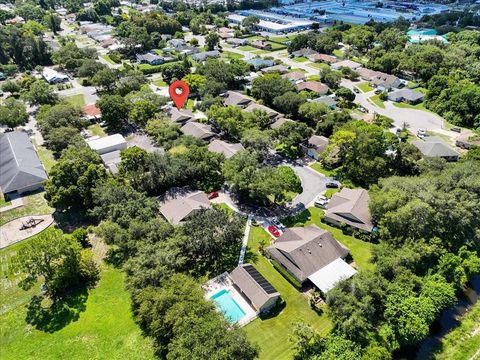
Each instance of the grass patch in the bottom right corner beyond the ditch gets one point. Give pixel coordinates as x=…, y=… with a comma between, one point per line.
x=463, y=342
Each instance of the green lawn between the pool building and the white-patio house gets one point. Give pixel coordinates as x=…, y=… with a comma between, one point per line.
x=273, y=334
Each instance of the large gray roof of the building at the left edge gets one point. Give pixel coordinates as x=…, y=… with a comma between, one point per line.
x=20, y=167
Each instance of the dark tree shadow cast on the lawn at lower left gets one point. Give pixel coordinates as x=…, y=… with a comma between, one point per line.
x=59, y=313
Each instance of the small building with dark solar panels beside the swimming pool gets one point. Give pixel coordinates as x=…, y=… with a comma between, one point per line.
x=254, y=287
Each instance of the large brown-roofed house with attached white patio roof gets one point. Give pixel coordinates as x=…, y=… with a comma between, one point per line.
x=305, y=251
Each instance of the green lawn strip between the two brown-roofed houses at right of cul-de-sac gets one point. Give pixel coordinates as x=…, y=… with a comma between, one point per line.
x=361, y=251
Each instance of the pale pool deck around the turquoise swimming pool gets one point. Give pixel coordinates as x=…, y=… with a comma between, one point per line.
x=223, y=282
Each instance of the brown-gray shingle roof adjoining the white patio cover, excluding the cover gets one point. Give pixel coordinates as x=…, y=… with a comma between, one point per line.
x=305, y=250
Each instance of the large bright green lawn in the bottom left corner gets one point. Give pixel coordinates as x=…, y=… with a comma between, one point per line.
x=104, y=329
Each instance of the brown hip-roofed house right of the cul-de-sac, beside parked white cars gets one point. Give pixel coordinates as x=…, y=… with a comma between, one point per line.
x=350, y=206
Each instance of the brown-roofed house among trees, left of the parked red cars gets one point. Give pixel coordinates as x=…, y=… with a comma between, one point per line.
x=180, y=207
